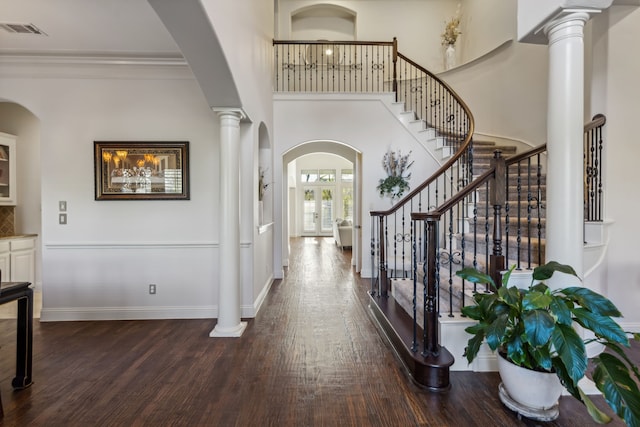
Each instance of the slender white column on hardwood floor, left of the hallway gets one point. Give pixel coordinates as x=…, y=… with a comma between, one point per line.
x=229, y=324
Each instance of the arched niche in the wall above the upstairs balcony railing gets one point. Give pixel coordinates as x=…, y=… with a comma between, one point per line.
x=323, y=22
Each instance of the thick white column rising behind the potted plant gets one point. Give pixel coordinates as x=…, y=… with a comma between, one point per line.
x=565, y=121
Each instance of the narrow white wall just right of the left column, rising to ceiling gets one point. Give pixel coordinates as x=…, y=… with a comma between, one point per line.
x=245, y=31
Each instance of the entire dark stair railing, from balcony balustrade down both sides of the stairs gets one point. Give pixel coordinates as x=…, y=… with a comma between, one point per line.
x=449, y=221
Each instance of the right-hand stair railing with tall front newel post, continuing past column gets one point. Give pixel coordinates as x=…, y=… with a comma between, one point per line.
x=512, y=195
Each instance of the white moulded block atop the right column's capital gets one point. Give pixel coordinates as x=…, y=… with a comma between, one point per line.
x=534, y=17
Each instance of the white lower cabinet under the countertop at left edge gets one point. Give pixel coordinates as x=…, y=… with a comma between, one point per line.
x=18, y=259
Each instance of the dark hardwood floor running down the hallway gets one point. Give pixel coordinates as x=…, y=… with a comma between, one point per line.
x=311, y=357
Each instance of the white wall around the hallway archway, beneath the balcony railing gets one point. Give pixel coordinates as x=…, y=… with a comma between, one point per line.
x=370, y=129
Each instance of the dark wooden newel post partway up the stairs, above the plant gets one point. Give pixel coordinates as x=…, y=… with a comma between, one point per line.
x=497, y=198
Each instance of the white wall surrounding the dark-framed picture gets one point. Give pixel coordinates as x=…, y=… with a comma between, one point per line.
x=100, y=264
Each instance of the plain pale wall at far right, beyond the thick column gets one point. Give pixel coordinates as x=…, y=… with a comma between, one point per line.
x=616, y=72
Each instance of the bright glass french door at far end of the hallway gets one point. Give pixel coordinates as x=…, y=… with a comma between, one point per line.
x=317, y=210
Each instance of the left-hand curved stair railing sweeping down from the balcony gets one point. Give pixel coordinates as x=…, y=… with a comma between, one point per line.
x=440, y=107
